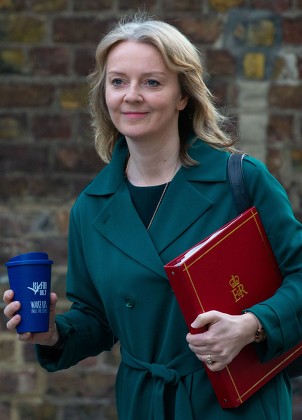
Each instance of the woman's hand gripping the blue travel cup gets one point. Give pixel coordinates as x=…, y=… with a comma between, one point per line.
x=48, y=338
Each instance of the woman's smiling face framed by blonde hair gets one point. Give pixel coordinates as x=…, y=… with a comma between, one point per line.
x=142, y=95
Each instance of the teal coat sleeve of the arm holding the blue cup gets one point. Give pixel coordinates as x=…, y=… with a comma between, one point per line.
x=84, y=328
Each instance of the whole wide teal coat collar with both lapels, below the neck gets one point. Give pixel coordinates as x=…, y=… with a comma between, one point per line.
x=182, y=205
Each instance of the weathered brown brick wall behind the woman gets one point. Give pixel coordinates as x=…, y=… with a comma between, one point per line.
x=253, y=53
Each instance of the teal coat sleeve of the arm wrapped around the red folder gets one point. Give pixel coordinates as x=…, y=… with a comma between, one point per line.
x=280, y=315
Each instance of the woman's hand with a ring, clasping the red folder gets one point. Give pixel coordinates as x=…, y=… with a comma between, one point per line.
x=223, y=339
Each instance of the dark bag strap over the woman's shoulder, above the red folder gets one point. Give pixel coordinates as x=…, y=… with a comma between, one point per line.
x=236, y=178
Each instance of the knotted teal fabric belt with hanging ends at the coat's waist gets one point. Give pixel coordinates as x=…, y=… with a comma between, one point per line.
x=169, y=374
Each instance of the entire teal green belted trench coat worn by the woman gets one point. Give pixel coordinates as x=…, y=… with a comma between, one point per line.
x=120, y=291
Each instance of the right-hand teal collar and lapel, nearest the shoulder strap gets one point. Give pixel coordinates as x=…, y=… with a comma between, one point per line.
x=186, y=200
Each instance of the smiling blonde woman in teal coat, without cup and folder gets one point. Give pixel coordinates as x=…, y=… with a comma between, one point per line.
x=164, y=189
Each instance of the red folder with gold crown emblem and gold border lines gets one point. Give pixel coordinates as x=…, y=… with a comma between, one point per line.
x=230, y=271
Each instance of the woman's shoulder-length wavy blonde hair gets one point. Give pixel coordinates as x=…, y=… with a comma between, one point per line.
x=199, y=116
